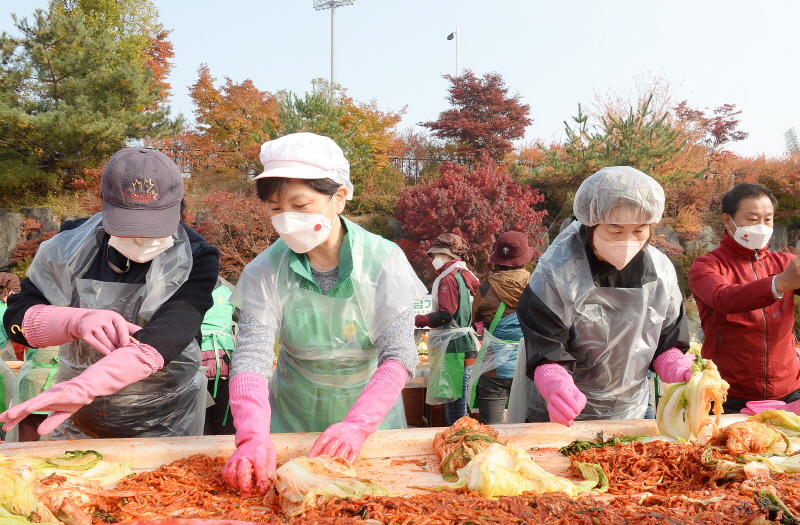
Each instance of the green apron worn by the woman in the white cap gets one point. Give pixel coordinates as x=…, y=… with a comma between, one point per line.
x=326, y=357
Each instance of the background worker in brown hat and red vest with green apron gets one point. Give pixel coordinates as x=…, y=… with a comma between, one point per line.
x=452, y=343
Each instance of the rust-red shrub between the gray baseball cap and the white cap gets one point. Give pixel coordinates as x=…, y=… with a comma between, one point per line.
x=239, y=226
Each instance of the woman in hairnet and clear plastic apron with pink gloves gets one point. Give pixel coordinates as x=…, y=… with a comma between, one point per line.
x=603, y=307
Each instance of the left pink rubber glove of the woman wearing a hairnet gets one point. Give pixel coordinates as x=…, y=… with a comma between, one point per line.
x=564, y=401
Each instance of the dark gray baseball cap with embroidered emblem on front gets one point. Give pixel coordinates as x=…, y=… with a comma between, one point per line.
x=142, y=193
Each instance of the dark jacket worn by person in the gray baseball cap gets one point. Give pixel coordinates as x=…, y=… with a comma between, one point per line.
x=173, y=325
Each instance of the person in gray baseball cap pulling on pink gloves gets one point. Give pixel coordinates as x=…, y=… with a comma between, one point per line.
x=123, y=294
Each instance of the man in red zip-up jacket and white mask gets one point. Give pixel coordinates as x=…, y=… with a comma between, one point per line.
x=744, y=294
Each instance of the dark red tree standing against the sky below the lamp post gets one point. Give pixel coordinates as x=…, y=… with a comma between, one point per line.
x=484, y=117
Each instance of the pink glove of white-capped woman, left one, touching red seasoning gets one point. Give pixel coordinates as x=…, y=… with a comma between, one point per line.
x=255, y=454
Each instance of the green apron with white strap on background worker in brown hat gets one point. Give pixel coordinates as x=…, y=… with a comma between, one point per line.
x=447, y=371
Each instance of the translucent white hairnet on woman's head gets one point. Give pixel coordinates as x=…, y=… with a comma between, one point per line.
x=619, y=195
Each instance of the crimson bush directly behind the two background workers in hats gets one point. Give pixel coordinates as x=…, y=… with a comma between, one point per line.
x=478, y=204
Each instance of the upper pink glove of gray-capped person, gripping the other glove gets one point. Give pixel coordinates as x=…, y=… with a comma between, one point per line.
x=48, y=325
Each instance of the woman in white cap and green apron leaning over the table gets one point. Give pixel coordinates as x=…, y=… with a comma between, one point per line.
x=340, y=301
